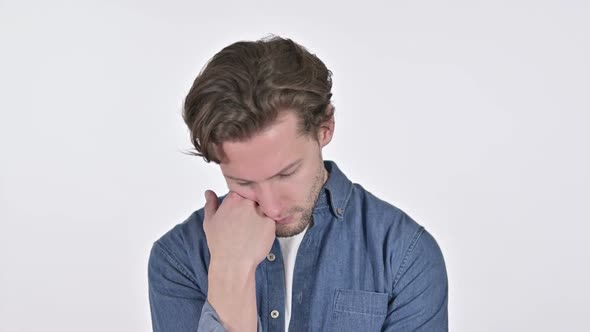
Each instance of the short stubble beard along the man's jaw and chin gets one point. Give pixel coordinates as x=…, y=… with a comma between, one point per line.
x=307, y=212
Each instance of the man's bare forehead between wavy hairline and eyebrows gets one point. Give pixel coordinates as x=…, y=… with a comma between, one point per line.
x=267, y=152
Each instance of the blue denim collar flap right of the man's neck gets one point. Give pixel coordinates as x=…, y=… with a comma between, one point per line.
x=336, y=191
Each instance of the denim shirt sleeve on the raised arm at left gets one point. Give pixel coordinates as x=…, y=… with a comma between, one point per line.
x=177, y=303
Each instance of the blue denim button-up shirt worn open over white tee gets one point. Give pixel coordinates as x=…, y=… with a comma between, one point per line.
x=364, y=265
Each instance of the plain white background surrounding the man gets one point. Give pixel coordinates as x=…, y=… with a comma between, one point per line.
x=471, y=116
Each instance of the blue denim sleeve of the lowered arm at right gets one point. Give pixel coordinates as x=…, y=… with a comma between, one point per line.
x=420, y=289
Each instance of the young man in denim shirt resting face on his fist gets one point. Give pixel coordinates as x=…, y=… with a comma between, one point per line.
x=295, y=245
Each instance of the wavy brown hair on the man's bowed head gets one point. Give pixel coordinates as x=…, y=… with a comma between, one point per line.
x=244, y=87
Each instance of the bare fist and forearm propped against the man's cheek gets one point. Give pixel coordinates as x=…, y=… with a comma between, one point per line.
x=239, y=237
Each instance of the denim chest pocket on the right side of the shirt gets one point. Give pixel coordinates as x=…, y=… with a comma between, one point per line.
x=356, y=310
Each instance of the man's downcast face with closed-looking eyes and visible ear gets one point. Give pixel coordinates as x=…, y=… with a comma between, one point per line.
x=281, y=170
